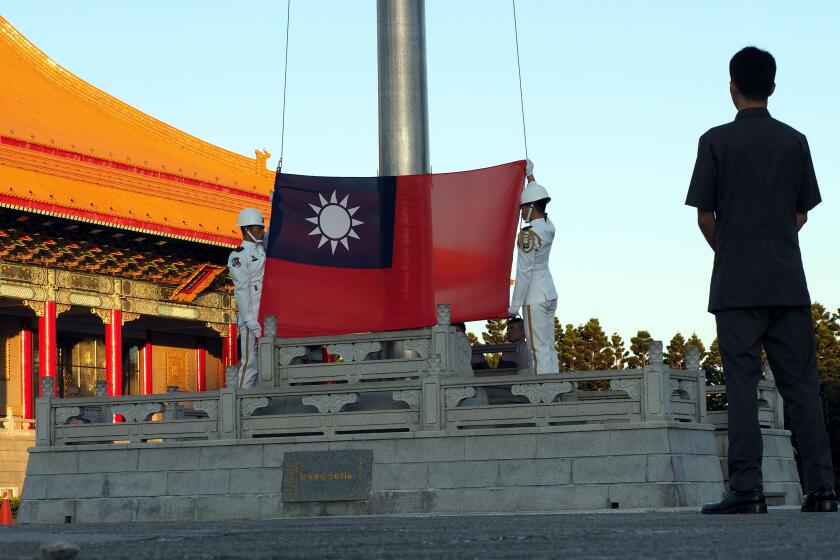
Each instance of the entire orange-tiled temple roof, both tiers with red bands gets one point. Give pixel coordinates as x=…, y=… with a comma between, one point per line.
x=70, y=150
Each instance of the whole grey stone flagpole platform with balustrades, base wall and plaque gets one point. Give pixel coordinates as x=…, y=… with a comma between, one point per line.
x=352, y=438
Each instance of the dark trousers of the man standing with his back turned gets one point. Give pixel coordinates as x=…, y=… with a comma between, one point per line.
x=787, y=335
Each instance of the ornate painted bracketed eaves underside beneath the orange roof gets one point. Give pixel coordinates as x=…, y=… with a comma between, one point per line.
x=39, y=240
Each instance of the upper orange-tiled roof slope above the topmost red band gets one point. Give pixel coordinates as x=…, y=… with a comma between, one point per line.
x=41, y=97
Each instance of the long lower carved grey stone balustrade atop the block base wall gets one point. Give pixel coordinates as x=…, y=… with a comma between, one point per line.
x=346, y=402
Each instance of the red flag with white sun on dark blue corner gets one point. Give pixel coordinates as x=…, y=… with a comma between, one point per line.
x=364, y=254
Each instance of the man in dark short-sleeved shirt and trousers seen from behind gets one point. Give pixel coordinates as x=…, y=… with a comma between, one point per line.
x=753, y=186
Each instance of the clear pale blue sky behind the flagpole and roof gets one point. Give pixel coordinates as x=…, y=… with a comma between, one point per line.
x=616, y=95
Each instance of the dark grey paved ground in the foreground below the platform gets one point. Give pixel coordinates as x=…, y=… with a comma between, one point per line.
x=783, y=533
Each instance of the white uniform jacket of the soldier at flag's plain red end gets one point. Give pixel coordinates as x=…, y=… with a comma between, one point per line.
x=534, y=283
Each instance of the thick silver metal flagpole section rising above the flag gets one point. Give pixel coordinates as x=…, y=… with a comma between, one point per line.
x=403, y=100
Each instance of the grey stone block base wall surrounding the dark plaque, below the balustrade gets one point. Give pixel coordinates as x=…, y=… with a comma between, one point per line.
x=665, y=464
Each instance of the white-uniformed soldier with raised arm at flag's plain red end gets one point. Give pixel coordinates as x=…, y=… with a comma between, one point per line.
x=534, y=289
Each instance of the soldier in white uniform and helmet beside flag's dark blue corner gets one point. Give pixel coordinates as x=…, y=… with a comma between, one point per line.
x=247, y=265
